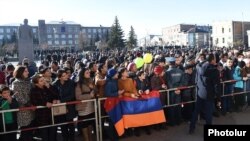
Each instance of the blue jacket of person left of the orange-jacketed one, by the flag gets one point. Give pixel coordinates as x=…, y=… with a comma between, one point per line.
x=111, y=88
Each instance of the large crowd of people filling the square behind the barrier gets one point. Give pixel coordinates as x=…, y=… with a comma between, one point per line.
x=115, y=74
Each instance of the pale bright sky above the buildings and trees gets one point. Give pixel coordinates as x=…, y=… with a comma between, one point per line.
x=146, y=16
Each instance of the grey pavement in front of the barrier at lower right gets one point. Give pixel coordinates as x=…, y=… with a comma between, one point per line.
x=180, y=133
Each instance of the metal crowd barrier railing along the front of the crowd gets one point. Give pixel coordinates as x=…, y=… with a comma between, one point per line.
x=98, y=109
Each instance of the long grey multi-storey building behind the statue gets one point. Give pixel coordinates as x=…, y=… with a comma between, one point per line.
x=58, y=34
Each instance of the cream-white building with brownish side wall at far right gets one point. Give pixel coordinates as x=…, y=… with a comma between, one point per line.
x=230, y=33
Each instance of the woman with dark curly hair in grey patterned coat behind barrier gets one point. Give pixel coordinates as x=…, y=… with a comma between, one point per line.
x=21, y=86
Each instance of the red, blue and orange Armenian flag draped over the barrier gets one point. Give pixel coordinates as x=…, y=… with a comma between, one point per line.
x=127, y=112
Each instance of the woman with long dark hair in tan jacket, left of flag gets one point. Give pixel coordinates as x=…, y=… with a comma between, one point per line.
x=85, y=90
